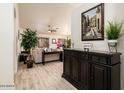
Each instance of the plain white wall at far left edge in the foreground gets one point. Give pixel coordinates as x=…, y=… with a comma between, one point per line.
x=6, y=45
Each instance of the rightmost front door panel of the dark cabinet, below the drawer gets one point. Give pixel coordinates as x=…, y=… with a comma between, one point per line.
x=98, y=77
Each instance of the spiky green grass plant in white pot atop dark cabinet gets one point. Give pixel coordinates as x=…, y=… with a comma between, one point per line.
x=113, y=33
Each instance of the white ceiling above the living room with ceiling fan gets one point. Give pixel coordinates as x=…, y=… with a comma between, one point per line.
x=39, y=15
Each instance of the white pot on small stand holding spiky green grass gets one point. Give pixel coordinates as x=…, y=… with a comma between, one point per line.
x=112, y=45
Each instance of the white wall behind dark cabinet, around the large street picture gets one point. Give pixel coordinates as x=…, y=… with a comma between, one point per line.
x=112, y=12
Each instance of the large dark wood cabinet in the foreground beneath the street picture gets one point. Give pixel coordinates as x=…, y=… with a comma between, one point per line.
x=92, y=70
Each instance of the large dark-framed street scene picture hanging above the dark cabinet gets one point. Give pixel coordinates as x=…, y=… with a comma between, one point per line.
x=92, y=23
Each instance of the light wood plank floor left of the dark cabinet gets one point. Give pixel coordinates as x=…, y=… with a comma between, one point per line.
x=47, y=77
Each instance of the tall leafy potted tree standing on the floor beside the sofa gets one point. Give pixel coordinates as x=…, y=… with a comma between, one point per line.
x=29, y=41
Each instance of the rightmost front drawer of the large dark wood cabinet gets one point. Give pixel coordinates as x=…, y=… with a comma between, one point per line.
x=99, y=59
